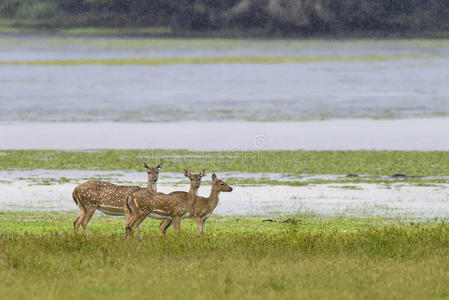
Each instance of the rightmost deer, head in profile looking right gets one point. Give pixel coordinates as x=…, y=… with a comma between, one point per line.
x=203, y=207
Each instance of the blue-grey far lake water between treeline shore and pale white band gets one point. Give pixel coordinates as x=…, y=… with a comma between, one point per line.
x=399, y=88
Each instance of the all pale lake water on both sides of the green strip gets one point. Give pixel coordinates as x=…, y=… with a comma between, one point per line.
x=388, y=94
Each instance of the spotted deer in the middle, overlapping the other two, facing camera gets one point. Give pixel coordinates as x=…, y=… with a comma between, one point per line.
x=171, y=207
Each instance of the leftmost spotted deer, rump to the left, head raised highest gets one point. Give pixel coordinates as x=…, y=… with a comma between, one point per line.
x=107, y=197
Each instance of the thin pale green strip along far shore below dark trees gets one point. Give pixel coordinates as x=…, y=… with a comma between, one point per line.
x=49, y=41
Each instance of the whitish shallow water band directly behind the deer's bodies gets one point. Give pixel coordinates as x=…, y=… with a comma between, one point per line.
x=363, y=200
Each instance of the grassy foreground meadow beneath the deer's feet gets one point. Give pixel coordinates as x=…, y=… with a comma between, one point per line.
x=40, y=258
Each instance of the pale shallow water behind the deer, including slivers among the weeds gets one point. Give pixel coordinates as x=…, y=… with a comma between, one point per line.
x=38, y=190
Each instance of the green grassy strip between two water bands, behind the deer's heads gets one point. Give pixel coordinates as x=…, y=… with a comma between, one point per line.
x=375, y=163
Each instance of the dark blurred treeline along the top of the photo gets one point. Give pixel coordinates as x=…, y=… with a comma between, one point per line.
x=273, y=17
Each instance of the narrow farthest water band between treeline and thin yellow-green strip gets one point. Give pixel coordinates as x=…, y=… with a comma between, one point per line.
x=40, y=47
